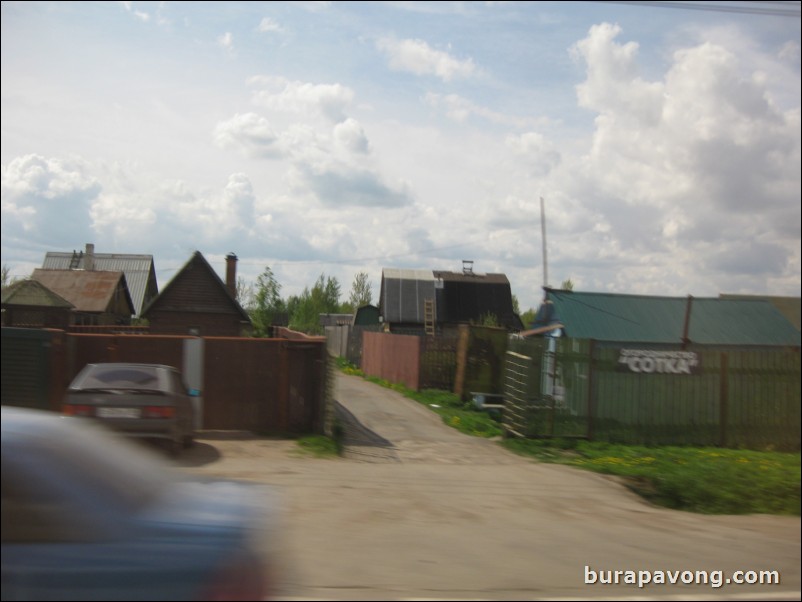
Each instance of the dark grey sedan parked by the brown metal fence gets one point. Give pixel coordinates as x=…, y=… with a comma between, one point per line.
x=139, y=400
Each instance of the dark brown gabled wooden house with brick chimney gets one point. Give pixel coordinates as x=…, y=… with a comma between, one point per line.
x=196, y=301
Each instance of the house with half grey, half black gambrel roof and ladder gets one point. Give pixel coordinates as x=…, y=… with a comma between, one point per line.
x=414, y=299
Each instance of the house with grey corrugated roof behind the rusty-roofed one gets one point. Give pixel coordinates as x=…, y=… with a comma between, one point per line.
x=139, y=270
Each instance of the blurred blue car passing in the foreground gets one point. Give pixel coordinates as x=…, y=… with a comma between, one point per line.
x=88, y=515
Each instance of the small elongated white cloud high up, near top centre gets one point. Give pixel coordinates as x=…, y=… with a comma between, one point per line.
x=416, y=56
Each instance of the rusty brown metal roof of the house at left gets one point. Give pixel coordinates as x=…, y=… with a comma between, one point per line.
x=89, y=291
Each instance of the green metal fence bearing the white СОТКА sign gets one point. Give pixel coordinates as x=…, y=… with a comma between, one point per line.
x=696, y=396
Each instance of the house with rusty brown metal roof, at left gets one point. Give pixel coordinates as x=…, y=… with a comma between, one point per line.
x=99, y=298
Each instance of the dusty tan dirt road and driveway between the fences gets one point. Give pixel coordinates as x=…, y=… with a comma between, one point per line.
x=416, y=510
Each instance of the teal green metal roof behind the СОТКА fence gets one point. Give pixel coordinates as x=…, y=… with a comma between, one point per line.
x=661, y=320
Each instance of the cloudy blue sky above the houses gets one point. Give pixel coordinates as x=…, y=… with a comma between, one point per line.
x=661, y=143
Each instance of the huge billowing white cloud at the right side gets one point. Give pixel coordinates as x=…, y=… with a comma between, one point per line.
x=681, y=169
